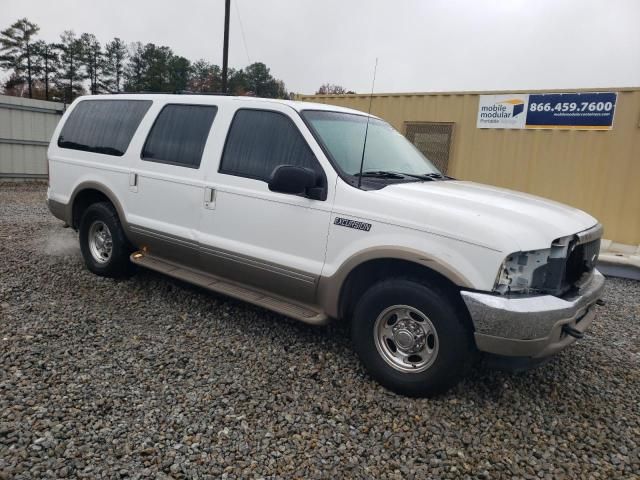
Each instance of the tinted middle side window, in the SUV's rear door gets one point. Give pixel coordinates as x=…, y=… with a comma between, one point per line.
x=179, y=135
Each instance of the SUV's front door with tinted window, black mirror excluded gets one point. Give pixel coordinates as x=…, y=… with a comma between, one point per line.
x=270, y=240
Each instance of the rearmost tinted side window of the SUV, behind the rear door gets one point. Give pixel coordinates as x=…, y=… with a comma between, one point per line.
x=103, y=126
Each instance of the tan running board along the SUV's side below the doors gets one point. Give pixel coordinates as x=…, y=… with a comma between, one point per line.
x=301, y=312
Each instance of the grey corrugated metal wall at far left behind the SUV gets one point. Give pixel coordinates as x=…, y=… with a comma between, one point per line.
x=26, y=127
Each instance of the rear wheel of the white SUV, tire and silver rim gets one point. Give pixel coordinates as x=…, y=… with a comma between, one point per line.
x=104, y=246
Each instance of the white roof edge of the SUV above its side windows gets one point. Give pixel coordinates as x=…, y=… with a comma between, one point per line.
x=221, y=100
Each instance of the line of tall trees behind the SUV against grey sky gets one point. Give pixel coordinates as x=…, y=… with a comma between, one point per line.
x=80, y=64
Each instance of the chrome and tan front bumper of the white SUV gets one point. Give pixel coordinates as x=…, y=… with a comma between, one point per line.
x=531, y=326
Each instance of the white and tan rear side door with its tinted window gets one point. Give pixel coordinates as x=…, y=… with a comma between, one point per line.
x=166, y=181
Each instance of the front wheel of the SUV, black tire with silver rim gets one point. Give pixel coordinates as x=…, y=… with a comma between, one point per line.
x=413, y=338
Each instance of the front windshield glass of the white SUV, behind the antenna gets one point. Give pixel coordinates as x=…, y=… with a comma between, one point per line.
x=386, y=149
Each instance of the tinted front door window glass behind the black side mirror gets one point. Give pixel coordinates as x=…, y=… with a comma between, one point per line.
x=259, y=141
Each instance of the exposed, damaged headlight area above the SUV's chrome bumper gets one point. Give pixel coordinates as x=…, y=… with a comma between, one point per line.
x=532, y=271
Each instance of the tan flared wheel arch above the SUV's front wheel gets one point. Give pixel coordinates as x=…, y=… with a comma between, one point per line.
x=337, y=294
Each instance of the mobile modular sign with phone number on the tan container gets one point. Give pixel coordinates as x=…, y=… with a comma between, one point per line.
x=568, y=111
